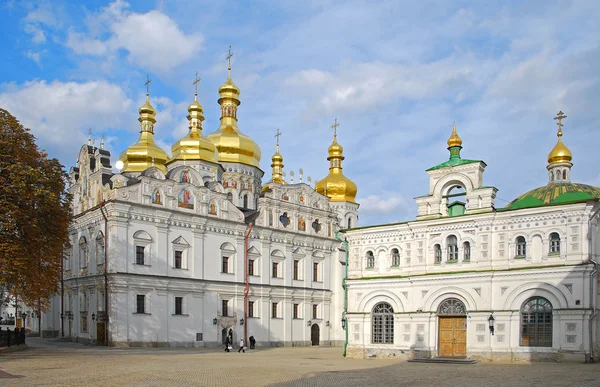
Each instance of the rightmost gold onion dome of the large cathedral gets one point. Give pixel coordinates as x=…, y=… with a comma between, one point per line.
x=335, y=185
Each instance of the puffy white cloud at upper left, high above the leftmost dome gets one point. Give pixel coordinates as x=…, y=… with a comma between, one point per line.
x=152, y=40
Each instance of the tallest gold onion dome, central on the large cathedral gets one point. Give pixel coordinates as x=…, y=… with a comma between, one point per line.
x=232, y=145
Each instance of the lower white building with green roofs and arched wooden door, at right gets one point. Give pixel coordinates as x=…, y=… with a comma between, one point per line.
x=465, y=279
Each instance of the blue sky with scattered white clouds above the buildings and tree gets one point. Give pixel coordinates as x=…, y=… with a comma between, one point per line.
x=396, y=74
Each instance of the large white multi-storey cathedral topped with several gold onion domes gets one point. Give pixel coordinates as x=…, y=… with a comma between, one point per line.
x=195, y=249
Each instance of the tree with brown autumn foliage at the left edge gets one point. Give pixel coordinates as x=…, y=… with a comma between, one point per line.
x=35, y=213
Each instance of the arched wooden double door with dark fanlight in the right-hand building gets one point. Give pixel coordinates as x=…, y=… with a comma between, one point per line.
x=452, y=323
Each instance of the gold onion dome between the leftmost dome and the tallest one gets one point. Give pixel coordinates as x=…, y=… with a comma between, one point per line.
x=194, y=146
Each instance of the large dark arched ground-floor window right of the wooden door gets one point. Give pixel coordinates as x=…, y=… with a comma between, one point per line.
x=536, y=323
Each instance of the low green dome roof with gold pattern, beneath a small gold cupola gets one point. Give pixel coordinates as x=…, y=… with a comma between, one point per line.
x=555, y=193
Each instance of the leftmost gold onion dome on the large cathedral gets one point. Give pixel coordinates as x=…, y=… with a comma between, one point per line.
x=145, y=153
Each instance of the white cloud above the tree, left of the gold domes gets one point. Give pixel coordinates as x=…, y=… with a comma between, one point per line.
x=60, y=113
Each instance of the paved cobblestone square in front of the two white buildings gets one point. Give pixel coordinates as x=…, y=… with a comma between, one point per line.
x=66, y=364
